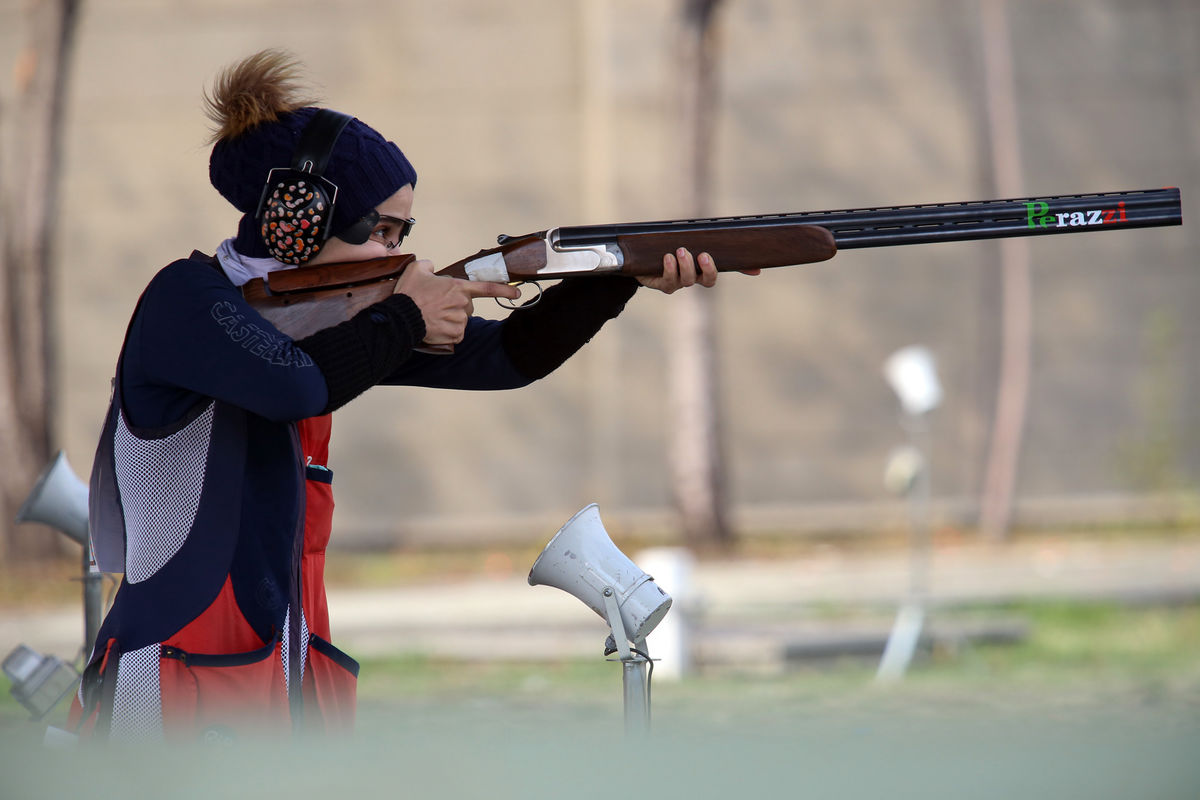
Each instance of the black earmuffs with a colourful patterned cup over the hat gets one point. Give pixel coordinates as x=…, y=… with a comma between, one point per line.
x=296, y=213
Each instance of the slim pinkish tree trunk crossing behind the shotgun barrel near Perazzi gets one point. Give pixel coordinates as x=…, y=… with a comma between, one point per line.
x=1017, y=294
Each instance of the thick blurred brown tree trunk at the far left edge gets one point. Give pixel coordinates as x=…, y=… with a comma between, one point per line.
x=28, y=203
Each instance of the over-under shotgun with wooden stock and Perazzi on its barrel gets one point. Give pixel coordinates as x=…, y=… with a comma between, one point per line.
x=305, y=300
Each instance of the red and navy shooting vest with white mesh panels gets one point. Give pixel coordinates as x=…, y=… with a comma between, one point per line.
x=214, y=635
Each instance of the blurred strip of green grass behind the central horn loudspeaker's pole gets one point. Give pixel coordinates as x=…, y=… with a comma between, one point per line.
x=1076, y=654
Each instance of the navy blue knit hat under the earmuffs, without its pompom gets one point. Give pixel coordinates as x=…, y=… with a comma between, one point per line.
x=365, y=167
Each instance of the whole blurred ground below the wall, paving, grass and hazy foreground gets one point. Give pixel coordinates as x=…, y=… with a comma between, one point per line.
x=470, y=687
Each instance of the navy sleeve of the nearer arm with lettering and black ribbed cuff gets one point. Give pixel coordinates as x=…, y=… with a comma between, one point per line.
x=195, y=336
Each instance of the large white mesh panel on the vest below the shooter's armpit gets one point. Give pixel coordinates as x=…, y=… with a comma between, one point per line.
x=160, y=482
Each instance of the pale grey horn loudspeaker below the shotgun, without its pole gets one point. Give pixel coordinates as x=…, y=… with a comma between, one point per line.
x=583, y=561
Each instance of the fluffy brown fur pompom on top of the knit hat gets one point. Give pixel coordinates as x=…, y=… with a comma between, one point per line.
x=257, y=89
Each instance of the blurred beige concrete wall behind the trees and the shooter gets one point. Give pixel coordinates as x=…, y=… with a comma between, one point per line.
x=520, y=117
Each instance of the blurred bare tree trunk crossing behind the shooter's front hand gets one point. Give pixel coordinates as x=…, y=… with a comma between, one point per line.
x=697, y=458
